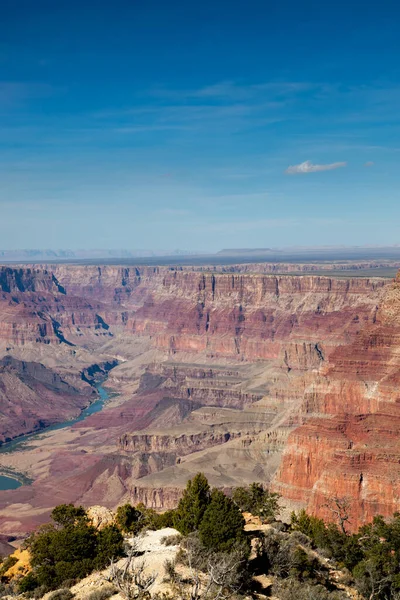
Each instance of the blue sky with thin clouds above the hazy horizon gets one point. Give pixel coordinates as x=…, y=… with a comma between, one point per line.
x=200, y=126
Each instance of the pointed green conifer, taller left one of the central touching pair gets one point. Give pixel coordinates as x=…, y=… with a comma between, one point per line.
x=192, y=505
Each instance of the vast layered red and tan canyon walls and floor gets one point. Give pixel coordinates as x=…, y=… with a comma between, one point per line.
x=289, y=380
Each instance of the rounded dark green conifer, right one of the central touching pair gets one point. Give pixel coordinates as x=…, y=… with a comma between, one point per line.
x=222, y=524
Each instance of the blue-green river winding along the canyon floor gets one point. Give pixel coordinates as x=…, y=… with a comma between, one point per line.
x=10, y=483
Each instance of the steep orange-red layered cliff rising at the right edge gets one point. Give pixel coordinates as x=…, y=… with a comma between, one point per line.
x=354, y=451
